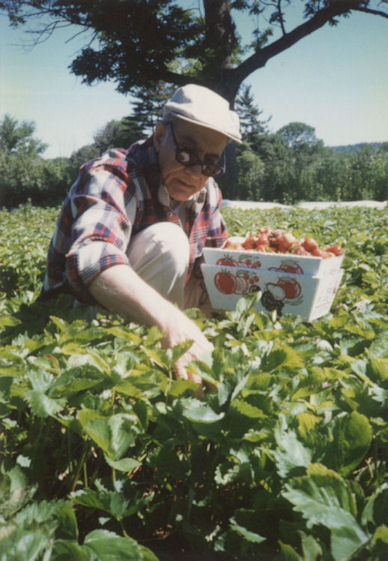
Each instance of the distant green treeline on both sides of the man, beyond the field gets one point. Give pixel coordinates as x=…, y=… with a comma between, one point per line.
x=288, y=166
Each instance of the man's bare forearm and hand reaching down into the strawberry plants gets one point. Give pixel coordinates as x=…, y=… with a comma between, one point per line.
x=121, y=290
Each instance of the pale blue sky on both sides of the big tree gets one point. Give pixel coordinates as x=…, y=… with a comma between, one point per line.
x=335, y=80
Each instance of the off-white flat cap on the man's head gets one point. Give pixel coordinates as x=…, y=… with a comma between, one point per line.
x=205, y=108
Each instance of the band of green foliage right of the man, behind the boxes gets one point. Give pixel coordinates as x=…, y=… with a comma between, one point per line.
x=308, y=172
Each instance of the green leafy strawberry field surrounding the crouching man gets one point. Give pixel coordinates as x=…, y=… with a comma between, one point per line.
x=104, y=456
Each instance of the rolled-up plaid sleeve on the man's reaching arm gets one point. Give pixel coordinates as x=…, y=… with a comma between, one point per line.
x=100, y=230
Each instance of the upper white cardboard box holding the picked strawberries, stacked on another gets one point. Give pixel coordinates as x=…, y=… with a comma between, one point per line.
x=278, y=262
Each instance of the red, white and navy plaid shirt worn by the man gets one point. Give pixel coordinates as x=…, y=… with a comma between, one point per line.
x=114, y=197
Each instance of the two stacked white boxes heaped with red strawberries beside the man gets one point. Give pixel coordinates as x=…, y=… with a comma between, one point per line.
x=294, y=275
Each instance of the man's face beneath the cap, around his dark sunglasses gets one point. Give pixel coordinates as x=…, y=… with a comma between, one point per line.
x=181, y=181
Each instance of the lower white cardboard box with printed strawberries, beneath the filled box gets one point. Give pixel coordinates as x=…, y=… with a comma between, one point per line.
x=306, y=295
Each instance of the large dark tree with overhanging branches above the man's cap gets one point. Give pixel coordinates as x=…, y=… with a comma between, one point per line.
x=138, y=43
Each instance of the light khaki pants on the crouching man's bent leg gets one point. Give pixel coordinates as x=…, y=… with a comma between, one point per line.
x=160, y=256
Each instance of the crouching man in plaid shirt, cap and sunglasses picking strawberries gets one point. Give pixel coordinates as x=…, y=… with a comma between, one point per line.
x=131, y=230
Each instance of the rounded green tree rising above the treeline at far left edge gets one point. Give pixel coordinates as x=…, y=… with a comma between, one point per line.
x=17, y=138
